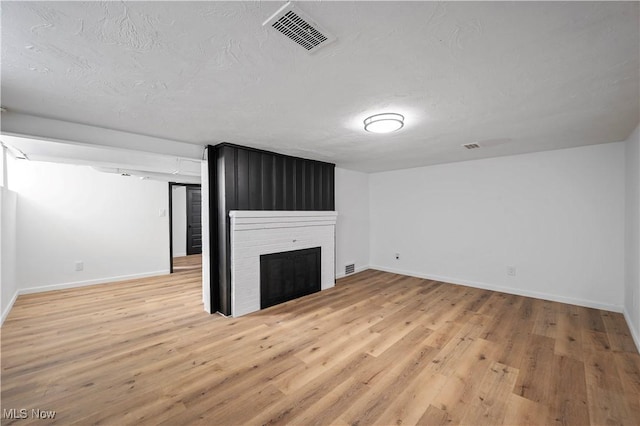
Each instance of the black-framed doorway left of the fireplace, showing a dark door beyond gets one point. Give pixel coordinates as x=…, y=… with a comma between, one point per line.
x=185, y=226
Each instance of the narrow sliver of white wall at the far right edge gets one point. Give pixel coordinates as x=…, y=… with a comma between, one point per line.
x=632, y=234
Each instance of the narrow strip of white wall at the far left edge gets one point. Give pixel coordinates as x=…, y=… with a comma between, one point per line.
x=8, y=282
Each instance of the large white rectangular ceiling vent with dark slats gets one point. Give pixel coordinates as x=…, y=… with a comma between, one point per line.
x=299, y=28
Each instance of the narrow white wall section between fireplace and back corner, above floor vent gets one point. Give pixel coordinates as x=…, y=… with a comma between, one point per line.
x=352, y=228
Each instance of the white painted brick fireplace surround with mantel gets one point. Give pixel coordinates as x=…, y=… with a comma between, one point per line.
x=254, y=233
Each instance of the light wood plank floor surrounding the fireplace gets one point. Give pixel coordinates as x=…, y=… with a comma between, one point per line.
x=377, y=349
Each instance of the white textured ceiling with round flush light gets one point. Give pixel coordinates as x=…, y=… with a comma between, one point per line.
x=514, y=77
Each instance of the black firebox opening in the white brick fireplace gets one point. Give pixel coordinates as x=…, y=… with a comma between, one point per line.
x=288, y=275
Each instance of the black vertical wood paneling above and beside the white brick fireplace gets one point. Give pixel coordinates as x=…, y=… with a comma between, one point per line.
x=242, y=178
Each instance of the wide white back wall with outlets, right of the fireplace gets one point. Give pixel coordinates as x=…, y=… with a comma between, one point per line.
x=556, y=216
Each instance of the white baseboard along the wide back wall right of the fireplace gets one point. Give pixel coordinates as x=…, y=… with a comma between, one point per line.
x=509, y=290
